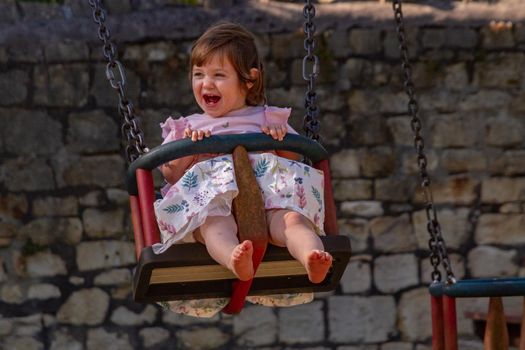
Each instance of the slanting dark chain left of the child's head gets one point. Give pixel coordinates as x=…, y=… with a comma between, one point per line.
x=115, y=74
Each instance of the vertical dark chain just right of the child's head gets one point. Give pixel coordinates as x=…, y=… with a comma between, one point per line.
x=310, y=123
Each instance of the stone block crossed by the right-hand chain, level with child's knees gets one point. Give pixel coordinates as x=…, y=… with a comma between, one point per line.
x=455, y=227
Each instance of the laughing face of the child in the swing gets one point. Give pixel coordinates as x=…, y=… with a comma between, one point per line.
x=217, y=88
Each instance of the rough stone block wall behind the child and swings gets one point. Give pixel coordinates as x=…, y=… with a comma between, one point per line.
x=66, y=252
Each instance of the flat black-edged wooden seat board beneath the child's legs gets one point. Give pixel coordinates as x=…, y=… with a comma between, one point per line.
x=186, y=271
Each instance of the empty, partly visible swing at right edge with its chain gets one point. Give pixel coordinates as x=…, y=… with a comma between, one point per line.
x=443, y=293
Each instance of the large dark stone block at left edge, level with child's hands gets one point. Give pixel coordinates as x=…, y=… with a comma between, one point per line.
x=27, y=132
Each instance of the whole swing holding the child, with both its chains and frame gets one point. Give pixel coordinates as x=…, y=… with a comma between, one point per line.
x=186, y=271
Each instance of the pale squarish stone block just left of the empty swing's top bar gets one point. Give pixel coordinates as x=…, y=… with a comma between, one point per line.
x=395, y=272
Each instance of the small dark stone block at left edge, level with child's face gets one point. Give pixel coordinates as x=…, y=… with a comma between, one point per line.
x=13, y=87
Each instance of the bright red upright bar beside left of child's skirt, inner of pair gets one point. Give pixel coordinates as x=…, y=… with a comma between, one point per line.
x=146, y=198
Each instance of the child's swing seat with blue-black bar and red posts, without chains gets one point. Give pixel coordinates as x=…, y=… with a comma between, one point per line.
x=186, y=271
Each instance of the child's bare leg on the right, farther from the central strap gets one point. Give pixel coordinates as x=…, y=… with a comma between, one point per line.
x=296, y=232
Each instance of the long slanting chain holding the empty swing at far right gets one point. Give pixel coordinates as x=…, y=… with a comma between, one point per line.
x=436, y=244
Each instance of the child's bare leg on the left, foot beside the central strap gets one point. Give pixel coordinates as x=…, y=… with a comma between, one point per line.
x=219, y=234
